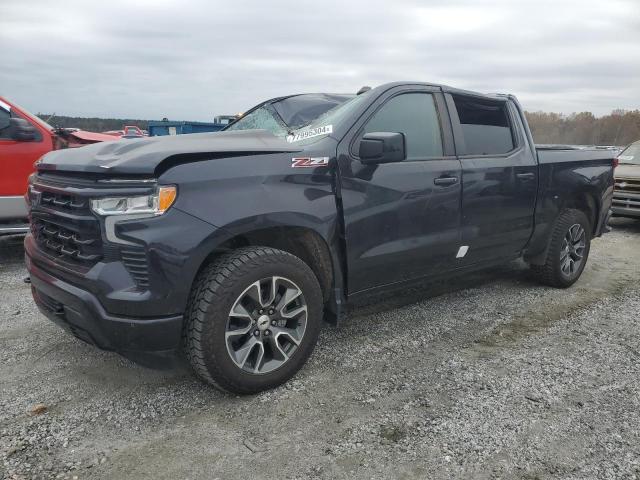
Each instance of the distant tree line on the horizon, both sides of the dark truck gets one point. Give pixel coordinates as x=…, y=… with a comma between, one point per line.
x=620, y=127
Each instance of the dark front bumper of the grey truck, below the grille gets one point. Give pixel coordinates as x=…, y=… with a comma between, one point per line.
x=80, y=313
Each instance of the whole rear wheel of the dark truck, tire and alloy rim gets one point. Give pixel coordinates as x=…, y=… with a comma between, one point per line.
x=568, y=251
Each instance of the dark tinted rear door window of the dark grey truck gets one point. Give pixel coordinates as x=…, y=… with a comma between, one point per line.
x=485, y=126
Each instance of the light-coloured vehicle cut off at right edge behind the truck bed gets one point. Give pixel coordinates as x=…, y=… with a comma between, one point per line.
x=626, y=193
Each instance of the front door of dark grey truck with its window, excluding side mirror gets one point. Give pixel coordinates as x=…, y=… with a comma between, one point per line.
x=402, y=220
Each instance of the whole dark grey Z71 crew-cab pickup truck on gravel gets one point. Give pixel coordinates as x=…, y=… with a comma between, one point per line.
x=233, y=247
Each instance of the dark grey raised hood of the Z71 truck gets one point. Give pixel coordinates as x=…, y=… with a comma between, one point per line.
x=145, y=156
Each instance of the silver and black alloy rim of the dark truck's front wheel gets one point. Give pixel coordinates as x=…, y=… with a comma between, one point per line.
x=266, y=325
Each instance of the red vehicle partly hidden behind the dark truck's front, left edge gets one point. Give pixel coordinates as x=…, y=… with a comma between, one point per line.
x=24, y=138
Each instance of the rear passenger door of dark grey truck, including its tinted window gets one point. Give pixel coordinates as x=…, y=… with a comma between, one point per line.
x=499, y=178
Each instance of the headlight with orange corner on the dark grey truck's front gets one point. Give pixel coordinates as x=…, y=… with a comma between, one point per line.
x=154, y=204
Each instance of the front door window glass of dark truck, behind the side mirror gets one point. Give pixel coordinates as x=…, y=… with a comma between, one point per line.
x=414, y=115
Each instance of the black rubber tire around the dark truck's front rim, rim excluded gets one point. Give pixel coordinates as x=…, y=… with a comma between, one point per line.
x=217, y=290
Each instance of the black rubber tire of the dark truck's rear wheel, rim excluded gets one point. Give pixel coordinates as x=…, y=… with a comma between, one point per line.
x=551, y=272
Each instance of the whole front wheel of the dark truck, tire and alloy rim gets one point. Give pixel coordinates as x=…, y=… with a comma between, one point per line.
x=253, y=319
